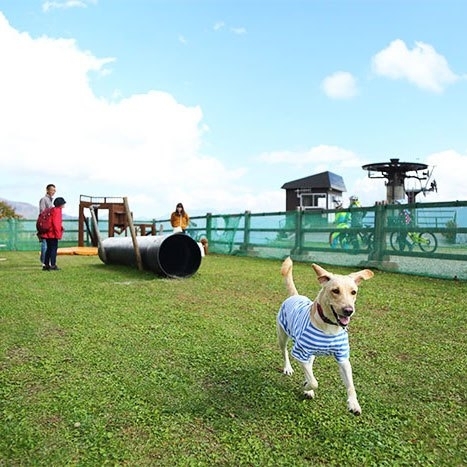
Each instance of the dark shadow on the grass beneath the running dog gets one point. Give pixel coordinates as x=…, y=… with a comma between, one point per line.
x=235, y=389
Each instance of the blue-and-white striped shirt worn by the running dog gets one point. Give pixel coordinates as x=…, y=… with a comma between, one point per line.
x=294, y=317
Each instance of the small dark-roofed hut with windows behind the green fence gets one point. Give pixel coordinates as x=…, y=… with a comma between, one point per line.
x=320, y=191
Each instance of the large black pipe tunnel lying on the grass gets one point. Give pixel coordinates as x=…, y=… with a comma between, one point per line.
x=175, y=256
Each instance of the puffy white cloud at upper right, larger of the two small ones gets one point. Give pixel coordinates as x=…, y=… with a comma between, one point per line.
x=421, y=66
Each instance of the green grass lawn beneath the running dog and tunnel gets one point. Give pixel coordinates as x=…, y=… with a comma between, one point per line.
x=106, y=365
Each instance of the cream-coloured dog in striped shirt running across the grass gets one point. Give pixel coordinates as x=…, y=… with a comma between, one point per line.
x=319, y=327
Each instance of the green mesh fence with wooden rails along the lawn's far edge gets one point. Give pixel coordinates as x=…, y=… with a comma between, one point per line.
x=428, y=239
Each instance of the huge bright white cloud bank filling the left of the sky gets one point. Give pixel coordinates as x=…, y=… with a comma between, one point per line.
x=145, y=146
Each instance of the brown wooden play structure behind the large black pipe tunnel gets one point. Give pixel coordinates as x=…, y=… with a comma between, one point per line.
x=120, y=219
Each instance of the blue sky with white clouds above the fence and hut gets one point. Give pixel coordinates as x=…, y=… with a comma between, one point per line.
x=218, y=103
